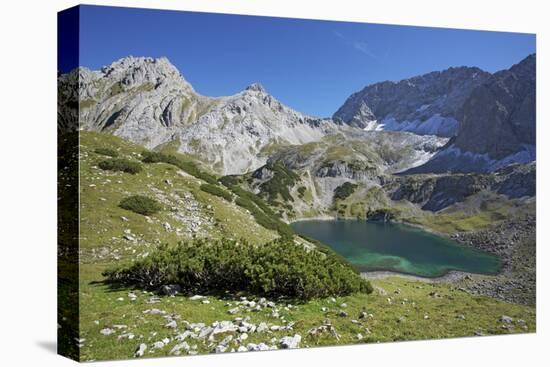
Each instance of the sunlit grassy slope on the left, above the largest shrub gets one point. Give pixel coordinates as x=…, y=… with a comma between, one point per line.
x=101, y=191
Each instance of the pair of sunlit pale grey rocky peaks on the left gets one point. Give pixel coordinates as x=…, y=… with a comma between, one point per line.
x=148, y=101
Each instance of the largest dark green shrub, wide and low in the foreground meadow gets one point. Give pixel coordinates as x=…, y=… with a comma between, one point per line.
x=277, y=269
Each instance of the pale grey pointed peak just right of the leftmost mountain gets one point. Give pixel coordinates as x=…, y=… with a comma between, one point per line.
x=235, y=133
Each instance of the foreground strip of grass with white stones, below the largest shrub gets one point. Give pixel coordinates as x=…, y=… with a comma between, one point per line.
x=413, y=302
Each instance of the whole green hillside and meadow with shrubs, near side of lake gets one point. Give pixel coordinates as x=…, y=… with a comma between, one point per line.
x=117, y=318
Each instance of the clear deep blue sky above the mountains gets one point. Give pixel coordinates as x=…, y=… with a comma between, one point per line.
x=310, y=65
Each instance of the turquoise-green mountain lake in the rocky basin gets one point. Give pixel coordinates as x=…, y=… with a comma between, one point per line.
x=396, y=247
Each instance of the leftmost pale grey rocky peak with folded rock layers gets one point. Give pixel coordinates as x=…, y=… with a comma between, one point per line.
x=144, y=100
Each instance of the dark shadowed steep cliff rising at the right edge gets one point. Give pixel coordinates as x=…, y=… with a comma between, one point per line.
x=497, y=125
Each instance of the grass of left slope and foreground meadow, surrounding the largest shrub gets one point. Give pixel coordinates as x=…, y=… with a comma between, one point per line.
x=102, y=231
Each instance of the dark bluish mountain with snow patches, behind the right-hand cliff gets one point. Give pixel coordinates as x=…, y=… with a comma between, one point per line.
x=428, y=104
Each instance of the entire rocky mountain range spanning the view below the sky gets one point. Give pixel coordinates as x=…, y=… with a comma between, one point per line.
x=462, y=119
